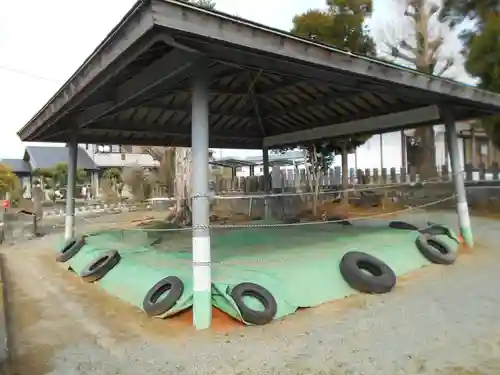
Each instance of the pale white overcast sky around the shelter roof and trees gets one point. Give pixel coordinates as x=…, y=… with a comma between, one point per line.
x=42, y=43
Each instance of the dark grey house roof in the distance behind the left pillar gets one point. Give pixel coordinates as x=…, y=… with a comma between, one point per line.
x=41, y=157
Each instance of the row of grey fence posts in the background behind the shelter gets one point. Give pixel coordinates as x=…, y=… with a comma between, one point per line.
x=293, y=179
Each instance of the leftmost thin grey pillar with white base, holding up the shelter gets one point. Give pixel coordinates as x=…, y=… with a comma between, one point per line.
x=69, y=228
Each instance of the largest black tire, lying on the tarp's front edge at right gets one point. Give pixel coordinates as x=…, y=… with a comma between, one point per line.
x=366, y=273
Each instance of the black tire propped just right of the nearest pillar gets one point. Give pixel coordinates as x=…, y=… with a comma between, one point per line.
x=263, y=295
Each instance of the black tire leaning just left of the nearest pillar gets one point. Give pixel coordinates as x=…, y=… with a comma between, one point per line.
x=154, y=306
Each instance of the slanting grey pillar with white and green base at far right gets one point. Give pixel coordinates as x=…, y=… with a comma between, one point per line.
x=458, y=179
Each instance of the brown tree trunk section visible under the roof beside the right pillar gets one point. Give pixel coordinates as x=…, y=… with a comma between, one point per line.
x=425, y=152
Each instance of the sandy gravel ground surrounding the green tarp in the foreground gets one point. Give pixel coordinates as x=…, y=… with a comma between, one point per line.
x=440, y=320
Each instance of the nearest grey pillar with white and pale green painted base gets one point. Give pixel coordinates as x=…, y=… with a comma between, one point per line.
x=202, y=283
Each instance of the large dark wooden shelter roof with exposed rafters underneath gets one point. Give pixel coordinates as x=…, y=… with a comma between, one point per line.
x=266, y=87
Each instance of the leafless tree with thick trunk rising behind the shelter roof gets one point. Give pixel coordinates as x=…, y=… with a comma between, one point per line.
x=420, y=41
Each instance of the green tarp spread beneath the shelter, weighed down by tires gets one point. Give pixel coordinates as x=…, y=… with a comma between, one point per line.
x=299, y=265
